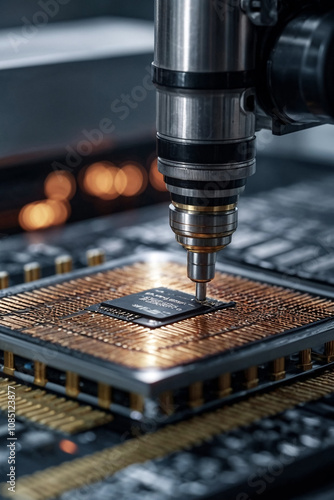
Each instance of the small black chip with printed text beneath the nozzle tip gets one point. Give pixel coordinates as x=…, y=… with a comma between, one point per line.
x=157, y=307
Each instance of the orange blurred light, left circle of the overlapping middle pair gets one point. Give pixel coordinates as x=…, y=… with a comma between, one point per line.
x=99, y=180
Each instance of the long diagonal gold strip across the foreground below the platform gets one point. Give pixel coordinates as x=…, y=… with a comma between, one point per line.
x=173, y=438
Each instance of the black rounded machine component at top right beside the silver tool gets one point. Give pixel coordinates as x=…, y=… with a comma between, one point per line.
x=295, y=67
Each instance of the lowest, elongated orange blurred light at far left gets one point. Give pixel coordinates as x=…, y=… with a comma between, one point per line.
x=43, y=214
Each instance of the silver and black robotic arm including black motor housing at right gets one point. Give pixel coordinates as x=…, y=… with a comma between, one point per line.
x=223, y=70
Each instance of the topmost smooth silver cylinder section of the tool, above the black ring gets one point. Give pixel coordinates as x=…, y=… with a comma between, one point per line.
x=195, y=35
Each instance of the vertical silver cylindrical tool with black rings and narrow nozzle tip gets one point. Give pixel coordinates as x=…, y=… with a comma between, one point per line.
x=204, y=72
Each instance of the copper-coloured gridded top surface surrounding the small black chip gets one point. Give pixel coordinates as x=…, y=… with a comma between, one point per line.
x=261, y=311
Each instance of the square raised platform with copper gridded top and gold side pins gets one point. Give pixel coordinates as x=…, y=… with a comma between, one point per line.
x=56, y=336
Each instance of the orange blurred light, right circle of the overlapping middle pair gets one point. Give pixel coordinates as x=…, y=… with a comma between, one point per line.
x=131, y=180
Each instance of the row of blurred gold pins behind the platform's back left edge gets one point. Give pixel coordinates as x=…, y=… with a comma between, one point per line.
x=63, y=264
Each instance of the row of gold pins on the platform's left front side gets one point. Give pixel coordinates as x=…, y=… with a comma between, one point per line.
x=72, y=384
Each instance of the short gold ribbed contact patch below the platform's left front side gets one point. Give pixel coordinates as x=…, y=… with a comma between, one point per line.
x=49, y=410
